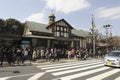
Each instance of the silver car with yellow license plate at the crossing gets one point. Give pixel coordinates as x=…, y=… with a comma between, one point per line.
x=112, y=58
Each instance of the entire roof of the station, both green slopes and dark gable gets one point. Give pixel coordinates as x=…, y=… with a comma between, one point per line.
x=40, y=27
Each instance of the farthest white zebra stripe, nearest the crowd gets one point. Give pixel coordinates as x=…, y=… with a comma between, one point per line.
x=50, y=65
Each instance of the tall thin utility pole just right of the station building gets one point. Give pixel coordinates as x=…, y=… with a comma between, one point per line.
x=93, y=35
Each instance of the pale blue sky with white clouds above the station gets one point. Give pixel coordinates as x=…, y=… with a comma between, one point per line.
x=76, y=12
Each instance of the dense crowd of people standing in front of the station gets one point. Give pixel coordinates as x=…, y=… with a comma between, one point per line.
x=17, y=55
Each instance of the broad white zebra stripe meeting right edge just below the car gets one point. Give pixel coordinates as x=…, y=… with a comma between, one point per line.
x=104, y=75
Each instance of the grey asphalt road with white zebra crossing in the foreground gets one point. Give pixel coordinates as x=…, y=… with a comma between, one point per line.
x=93, y=69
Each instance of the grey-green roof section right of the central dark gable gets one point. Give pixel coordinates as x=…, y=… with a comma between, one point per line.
x=80, y=33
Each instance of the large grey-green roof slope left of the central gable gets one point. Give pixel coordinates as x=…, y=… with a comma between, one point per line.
x=39, y=27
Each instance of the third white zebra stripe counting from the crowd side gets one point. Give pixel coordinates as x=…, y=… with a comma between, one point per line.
x=71, y=67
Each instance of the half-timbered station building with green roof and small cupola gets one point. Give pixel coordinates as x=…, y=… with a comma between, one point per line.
x=59, y=34
